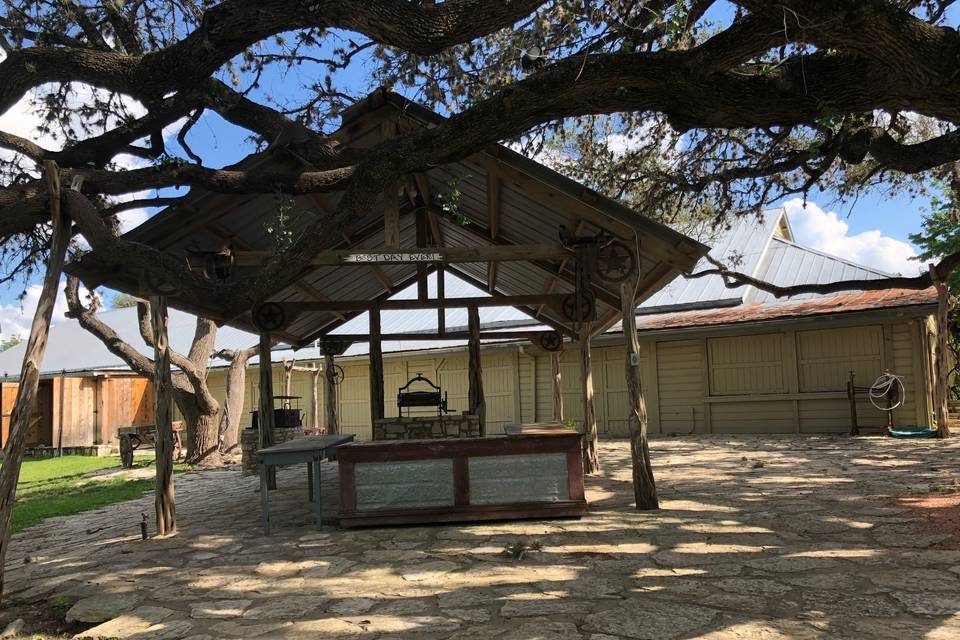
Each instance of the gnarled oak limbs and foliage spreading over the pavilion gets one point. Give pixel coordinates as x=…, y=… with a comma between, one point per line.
x=690, y=107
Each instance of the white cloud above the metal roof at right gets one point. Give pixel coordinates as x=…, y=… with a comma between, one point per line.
x=825, y=231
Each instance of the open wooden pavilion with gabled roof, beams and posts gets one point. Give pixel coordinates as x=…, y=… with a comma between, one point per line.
x=569, y=257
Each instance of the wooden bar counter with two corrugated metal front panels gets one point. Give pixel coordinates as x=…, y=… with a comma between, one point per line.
x=495, y=478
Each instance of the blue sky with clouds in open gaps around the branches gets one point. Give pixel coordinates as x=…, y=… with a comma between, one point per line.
x=873, y=230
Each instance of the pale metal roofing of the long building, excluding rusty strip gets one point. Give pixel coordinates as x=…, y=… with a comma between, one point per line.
x=763, y=248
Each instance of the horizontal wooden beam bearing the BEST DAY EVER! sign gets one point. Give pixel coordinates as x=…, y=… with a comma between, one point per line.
x=368, y=257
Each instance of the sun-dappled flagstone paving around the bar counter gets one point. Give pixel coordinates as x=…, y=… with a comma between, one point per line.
x=760, y=538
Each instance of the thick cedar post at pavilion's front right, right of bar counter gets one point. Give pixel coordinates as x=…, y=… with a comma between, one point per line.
x=644, y=486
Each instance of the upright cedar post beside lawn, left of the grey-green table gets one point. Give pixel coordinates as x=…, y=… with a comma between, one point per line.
x=163, y=394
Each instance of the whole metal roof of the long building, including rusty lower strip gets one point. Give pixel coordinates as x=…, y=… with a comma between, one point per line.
x=777, y=257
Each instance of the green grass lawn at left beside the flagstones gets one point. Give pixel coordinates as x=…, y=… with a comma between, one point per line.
x=63, y=486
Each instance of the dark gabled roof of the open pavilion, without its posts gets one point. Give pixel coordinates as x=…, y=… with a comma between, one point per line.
x=501, y=198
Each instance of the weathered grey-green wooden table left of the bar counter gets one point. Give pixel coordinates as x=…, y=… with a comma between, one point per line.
x=312, y=450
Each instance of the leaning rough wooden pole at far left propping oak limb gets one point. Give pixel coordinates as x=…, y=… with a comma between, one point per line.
x=30, y=371
